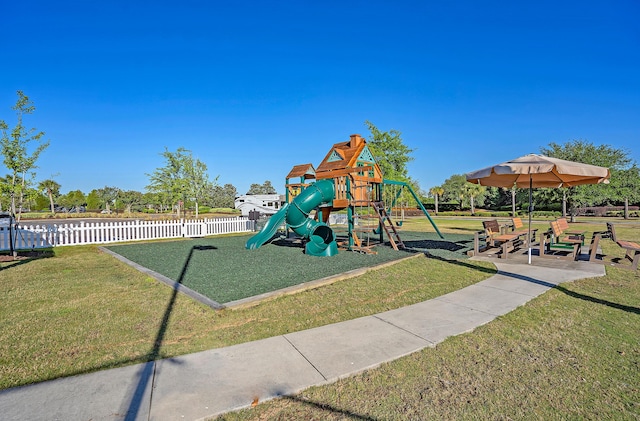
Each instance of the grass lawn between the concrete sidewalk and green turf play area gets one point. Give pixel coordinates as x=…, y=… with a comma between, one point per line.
x=83, y=310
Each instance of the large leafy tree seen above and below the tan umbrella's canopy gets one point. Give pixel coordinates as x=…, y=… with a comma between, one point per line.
x=586, y=152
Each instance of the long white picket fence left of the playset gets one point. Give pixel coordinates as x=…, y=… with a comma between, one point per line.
x=53, y=235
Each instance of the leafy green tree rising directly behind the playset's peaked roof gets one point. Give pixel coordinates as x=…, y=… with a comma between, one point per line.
x=390, y=152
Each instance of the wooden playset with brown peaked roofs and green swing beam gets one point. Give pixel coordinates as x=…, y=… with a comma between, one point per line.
x=359, y=187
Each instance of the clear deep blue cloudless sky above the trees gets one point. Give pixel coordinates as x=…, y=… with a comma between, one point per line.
x=254, y=88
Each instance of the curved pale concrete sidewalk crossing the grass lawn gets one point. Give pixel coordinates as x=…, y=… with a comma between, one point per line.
x=204, y=384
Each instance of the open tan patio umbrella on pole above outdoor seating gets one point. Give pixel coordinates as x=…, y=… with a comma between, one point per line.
x=539, y=171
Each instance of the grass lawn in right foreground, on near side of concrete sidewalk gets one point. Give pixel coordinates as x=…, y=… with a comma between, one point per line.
x=572, y=353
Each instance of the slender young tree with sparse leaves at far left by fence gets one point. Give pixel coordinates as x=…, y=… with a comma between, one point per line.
x=15, y=145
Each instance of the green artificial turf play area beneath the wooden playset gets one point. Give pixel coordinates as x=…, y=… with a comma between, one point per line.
x=221, y=269
